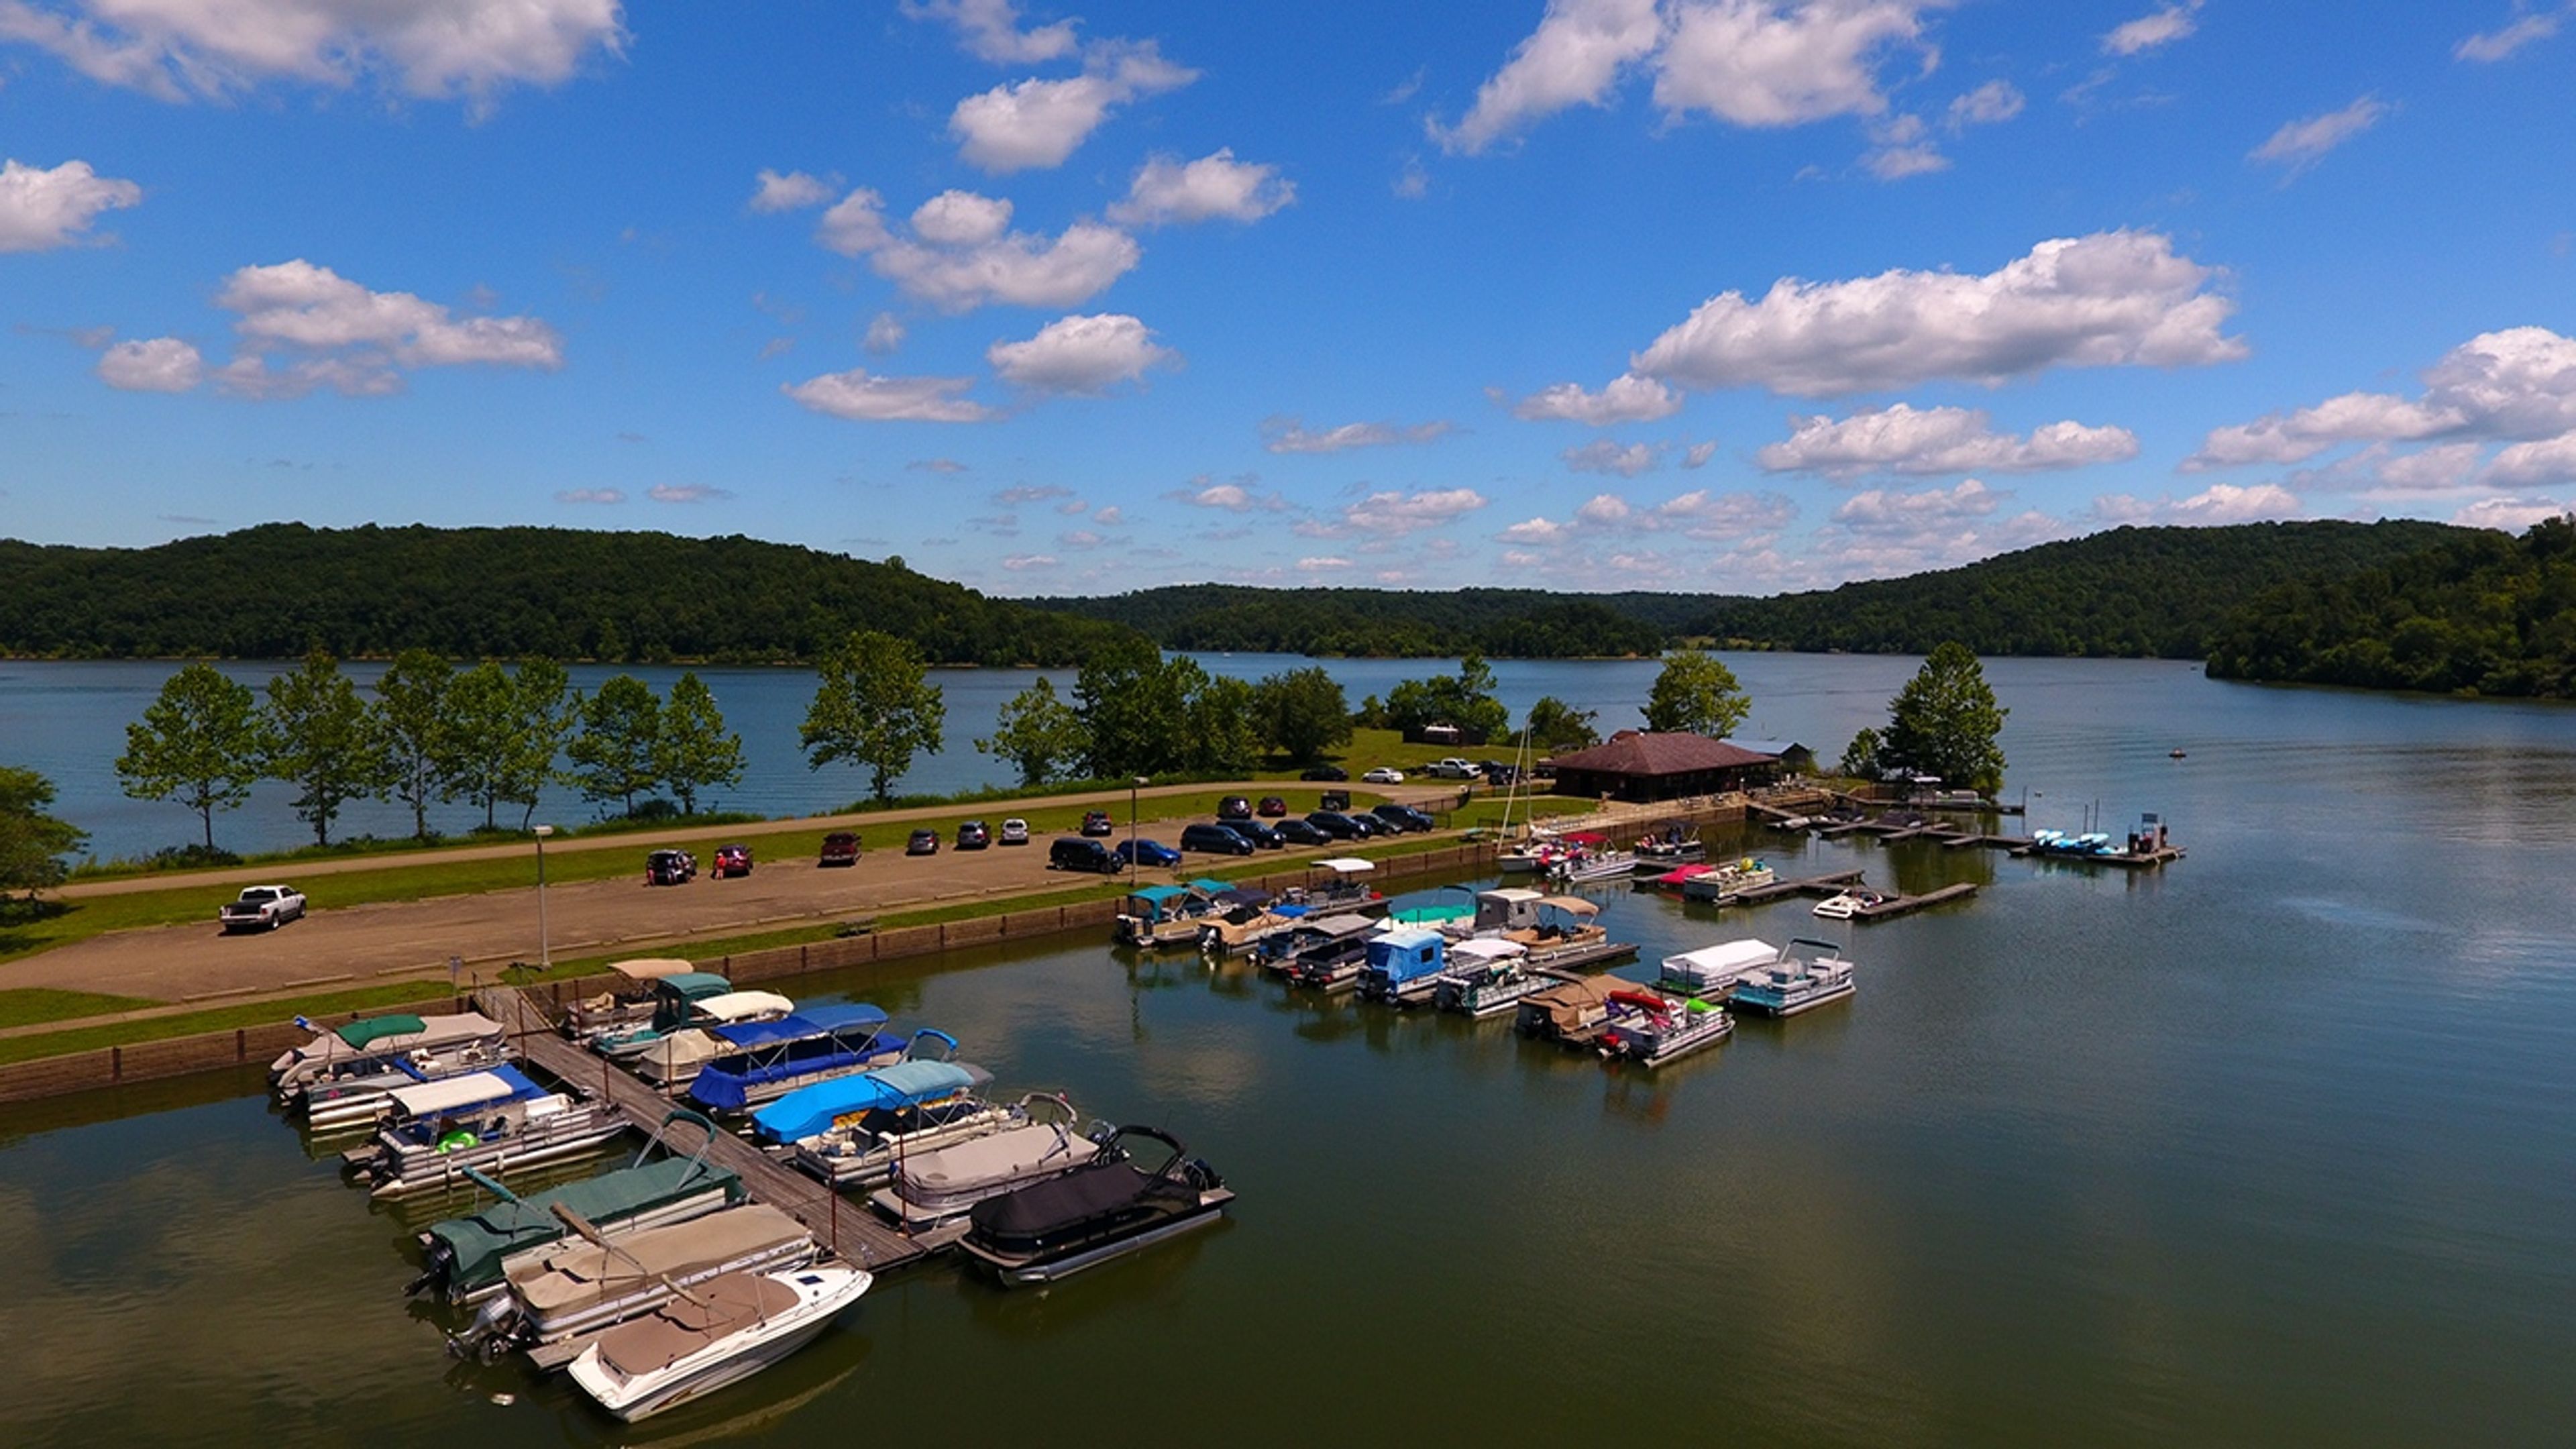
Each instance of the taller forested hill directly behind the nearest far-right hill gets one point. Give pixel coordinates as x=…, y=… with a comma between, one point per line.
x=2129, y=592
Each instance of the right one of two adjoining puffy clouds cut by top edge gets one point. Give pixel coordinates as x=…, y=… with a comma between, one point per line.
x=1761, y=63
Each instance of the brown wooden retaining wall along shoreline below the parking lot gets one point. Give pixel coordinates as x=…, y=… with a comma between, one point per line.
x=218, y=1051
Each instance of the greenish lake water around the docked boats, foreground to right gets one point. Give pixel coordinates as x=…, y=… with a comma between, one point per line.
x=2271, y=1149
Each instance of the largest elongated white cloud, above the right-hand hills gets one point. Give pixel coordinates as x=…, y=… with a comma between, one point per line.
x=2103, y=300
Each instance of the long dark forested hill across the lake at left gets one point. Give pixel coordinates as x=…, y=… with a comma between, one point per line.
x=571, y=594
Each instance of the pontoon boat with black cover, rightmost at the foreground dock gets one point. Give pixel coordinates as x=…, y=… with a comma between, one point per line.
x=1096, y=1213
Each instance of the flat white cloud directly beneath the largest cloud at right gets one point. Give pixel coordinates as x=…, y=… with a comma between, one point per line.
x=1936, y=440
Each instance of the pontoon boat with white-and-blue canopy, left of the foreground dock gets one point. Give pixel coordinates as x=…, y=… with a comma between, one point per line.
x=491, y=1123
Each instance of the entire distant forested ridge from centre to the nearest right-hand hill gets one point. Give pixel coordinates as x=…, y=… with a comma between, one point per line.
x=2129, y=592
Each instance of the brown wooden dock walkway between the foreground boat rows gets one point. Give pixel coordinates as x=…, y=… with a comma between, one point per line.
x=844, y=1229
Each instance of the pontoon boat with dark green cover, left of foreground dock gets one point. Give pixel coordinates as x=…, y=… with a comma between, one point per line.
x=468, y=1259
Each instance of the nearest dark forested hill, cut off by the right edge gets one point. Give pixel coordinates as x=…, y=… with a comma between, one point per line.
x=2482, y=612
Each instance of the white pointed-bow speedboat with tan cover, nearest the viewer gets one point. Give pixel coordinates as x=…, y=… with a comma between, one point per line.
x=723, y=1334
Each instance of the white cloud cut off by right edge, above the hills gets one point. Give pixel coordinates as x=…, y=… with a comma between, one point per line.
x=2510, y=385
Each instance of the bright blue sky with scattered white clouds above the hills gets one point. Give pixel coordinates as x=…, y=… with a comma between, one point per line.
x=1719, y=295
